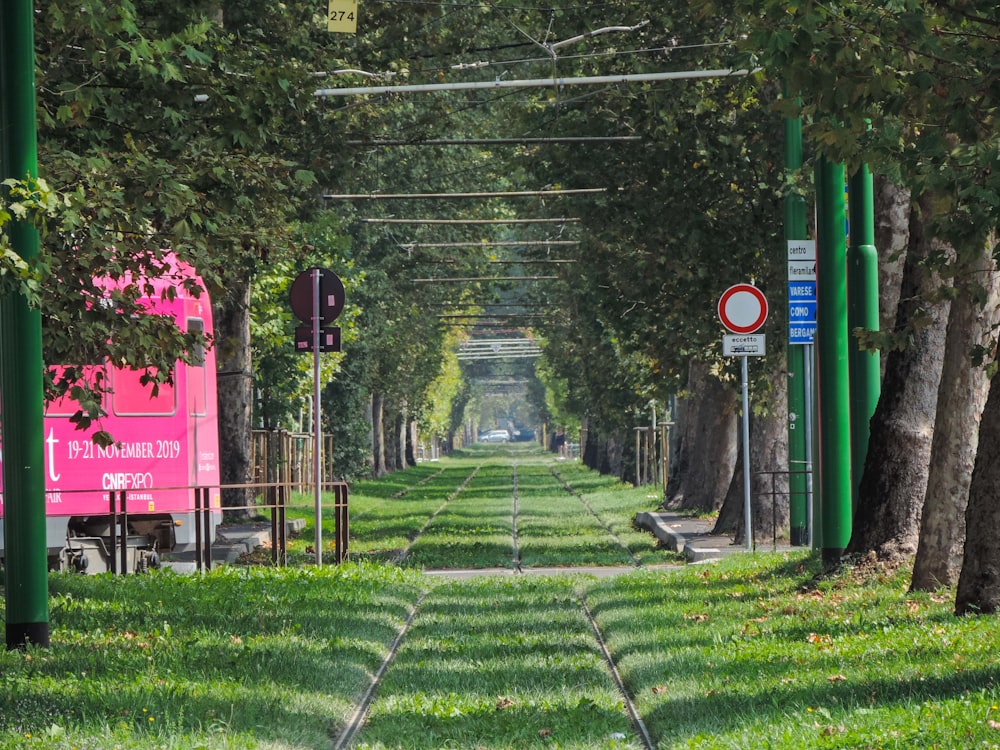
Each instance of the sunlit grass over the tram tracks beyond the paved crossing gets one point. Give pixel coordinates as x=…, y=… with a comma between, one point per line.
x=459, y=513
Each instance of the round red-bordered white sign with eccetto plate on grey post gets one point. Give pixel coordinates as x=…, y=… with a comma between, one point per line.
x=743, y=310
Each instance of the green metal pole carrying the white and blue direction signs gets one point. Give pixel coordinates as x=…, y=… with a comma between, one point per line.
x=798, y=460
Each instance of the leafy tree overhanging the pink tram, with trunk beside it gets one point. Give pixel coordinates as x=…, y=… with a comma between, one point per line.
x=144, y=165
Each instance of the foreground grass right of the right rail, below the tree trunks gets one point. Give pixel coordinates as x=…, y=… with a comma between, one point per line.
x=740, y=655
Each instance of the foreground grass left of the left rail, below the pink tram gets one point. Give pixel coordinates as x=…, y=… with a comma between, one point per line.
x=254, y=658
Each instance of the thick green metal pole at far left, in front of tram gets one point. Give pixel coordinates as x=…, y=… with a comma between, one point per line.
x=27, y=617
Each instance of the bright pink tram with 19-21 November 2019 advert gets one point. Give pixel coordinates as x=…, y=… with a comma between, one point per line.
x=152, y=491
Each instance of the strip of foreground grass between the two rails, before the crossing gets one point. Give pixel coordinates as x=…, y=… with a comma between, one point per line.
x=499, y=663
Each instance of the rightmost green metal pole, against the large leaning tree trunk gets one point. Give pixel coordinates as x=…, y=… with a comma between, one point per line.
x=862, y=312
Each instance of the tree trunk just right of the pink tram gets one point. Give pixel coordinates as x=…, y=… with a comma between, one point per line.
x=235, y=393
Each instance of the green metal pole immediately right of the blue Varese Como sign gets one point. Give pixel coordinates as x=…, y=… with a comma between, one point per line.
x=832, y=343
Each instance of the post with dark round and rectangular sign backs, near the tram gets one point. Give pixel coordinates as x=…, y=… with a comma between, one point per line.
x=317, y=297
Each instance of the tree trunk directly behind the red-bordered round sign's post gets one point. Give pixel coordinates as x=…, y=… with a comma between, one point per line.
x=769, y=506
